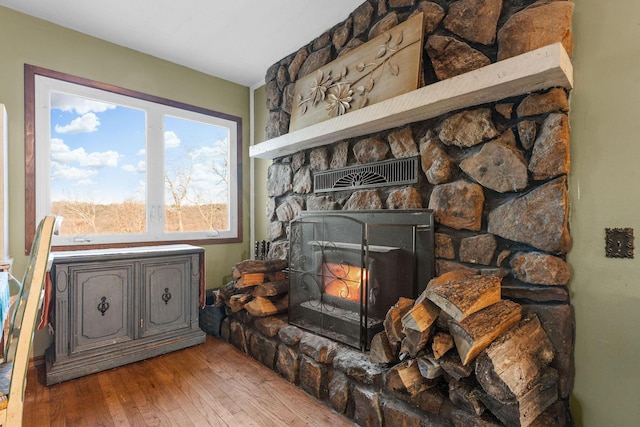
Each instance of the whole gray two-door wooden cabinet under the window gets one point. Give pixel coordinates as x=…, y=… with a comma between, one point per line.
x=118, y=306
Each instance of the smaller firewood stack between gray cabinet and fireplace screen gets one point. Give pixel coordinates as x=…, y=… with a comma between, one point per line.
x=260, y=287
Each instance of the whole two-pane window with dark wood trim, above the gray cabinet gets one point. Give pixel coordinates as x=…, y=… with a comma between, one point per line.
x=127, y=168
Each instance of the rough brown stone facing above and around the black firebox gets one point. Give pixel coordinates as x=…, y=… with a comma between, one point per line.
x=495, y=174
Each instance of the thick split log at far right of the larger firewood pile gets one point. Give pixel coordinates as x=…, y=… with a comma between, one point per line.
x=515, y=360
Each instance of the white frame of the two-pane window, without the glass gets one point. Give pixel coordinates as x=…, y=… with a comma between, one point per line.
x=156, y=110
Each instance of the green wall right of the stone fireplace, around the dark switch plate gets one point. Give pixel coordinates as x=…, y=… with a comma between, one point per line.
x=605, y=124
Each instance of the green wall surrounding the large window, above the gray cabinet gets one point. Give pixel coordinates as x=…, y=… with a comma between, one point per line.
x=33, y=41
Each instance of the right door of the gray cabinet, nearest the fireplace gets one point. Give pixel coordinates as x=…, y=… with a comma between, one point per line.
x=166, y=295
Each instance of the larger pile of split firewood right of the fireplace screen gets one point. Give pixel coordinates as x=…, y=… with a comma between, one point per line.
x=461, y=332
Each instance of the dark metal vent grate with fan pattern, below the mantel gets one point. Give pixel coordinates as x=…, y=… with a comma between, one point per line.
x=379, y=174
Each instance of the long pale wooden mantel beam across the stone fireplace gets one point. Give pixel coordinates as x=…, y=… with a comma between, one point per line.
x=539, y=69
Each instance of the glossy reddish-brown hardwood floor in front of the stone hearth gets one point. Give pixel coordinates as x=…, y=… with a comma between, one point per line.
x=212, y=384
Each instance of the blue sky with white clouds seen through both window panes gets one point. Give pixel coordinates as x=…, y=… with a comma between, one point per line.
x=98, y=152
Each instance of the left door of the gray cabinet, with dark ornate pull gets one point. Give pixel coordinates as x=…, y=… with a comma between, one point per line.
x=103, y=310
